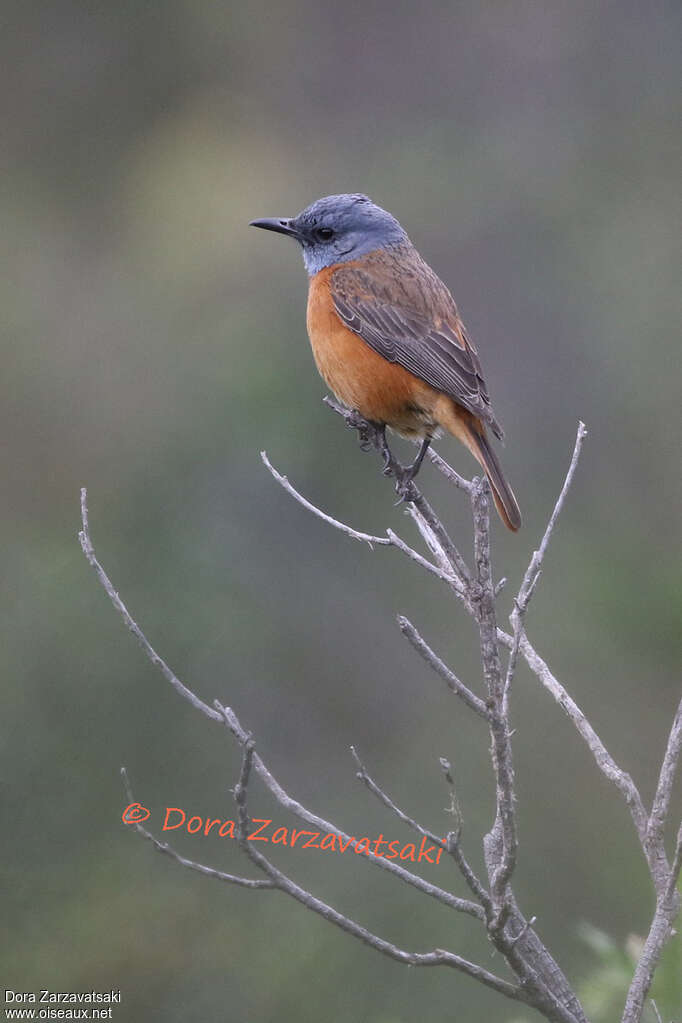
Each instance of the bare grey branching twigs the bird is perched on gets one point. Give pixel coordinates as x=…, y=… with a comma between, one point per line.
x=533, y=976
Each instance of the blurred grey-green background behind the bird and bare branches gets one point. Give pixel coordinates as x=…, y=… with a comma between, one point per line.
x=154, y=344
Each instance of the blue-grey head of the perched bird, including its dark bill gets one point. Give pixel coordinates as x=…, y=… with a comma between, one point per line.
x=338, y=229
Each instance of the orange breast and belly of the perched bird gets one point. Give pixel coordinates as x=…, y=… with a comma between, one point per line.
x=382, y=391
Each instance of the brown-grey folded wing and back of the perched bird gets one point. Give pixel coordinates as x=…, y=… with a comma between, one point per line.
x=404, y=313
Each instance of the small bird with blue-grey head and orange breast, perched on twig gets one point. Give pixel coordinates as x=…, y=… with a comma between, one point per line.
x=387, y=336
